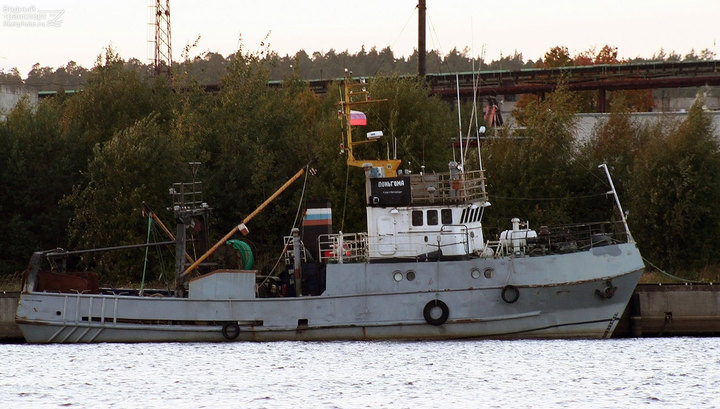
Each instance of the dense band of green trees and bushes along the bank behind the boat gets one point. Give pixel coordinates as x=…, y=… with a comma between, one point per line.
x=78, y=167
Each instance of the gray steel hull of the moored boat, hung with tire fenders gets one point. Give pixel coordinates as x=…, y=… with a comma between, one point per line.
x=577, y=295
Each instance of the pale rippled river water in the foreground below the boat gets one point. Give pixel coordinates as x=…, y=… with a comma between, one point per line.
x=660, y=372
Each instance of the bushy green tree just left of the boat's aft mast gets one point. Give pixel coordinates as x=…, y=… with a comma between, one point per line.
x=137, y=164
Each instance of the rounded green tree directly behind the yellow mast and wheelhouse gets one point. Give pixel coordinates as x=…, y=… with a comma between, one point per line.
x=411, y=120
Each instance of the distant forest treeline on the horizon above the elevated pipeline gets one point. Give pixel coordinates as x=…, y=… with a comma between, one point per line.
x=209, y=68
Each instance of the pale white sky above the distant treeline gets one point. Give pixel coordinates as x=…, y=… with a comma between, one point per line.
x=532, y=27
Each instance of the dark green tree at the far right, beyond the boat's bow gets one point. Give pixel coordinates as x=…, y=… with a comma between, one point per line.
x=675, y=194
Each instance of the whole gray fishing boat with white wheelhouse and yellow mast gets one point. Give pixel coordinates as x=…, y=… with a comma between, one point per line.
x=422, y=270
